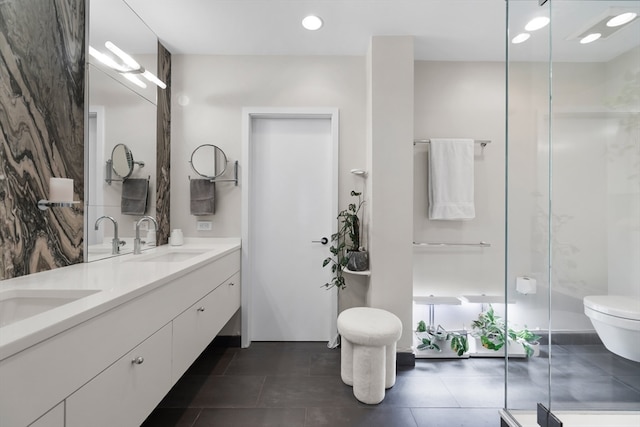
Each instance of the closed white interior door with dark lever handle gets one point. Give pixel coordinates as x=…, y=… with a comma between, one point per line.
x=291, y=206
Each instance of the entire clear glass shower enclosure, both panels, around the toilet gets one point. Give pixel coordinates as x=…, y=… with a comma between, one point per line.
x=573, y=207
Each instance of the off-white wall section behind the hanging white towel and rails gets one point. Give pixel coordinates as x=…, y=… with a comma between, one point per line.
x=461, y=100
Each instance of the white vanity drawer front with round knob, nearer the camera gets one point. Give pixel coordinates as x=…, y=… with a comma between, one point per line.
x=127, y=391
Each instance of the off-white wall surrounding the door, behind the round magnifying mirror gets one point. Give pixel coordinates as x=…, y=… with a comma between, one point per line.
x=209, y=93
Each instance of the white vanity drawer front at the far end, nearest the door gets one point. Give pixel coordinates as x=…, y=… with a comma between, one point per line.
x=194, y=329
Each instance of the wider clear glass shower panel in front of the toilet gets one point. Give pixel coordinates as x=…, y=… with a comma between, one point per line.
x=595, y=203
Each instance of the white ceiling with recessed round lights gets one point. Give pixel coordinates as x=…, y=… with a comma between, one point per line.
x=448, y=30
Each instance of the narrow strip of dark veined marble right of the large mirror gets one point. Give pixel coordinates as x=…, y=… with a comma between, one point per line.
x=163, y=175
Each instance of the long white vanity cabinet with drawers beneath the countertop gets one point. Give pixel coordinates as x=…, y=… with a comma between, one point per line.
x=113, y=368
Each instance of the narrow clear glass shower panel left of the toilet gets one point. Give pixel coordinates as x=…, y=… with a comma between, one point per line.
x=528, y=201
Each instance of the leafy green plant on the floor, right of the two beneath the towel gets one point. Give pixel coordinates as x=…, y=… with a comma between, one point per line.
x=493, y=334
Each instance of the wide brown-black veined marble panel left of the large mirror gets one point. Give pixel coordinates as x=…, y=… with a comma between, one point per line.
x=42, y=77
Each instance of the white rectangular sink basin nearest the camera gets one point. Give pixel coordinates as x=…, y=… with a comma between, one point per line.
x=18, y=304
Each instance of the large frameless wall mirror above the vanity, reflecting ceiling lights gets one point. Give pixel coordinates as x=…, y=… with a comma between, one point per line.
x=121, y=128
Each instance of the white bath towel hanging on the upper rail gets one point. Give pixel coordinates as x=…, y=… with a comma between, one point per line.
x=451, y=179
